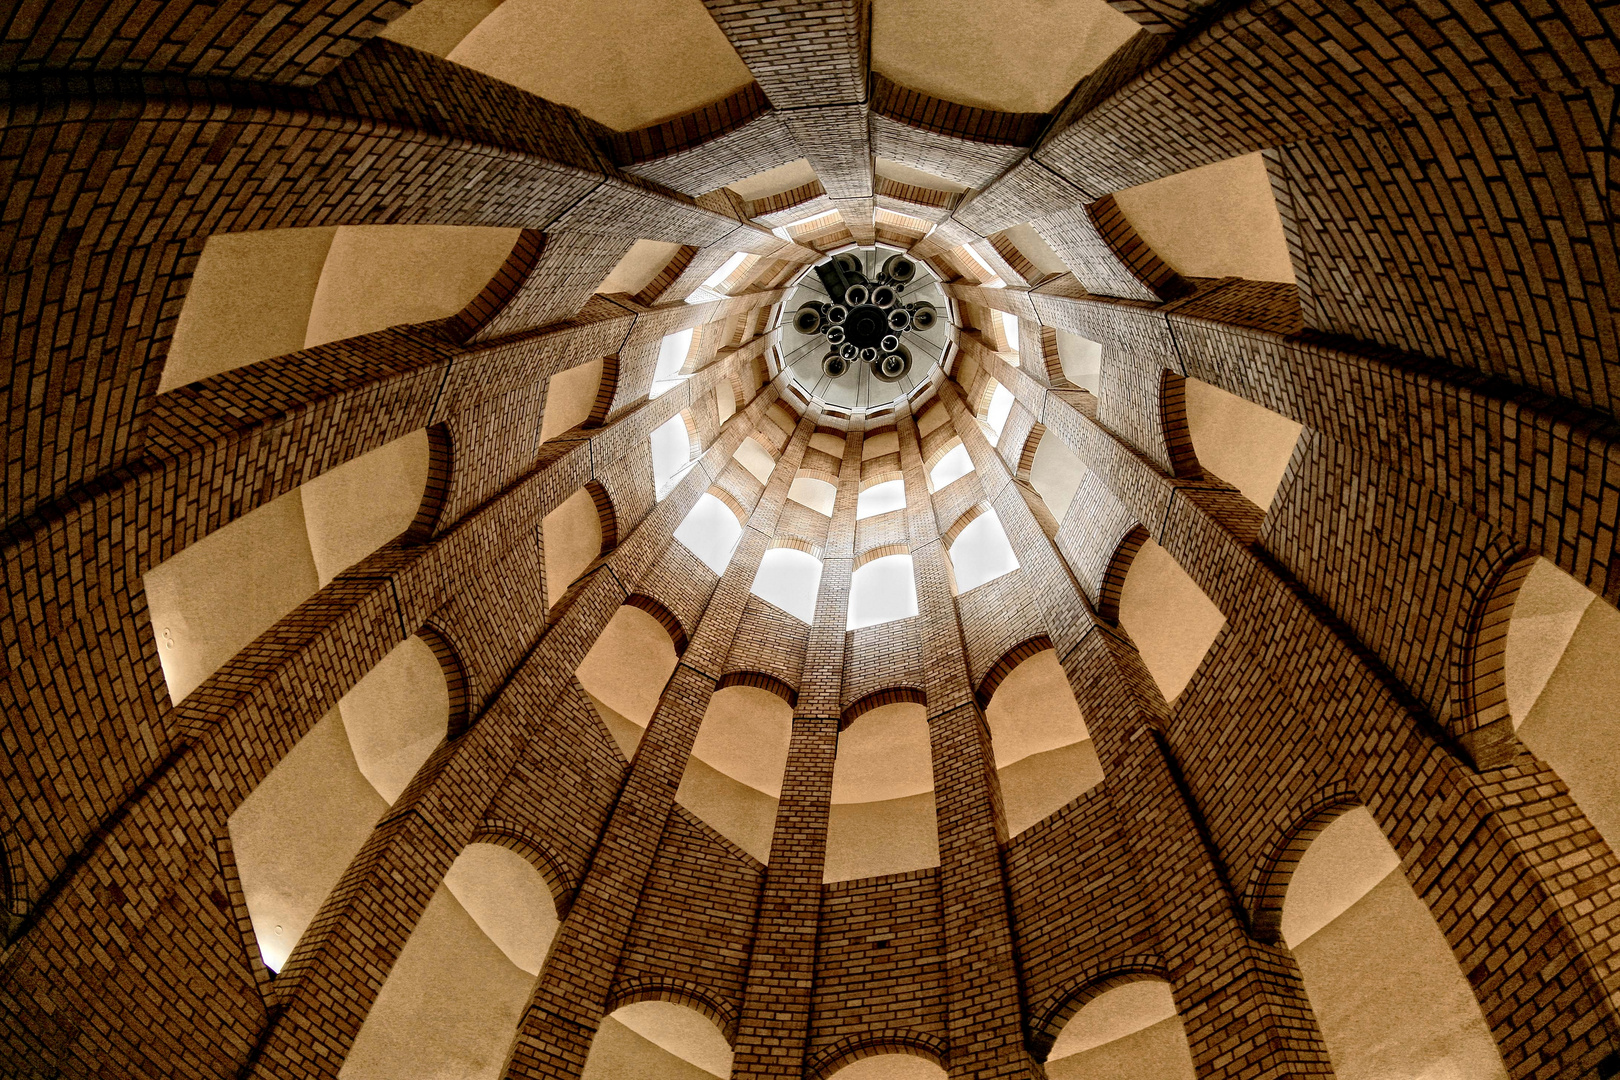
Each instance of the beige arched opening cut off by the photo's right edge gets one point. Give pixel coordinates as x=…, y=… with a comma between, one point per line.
x=1564, y=687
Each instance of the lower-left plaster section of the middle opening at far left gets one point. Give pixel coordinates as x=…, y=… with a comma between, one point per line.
x=218, y=595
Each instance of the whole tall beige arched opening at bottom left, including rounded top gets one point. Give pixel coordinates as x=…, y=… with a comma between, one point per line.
x=454, y=998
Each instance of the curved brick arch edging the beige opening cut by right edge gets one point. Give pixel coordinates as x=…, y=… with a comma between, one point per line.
x=1478, y=715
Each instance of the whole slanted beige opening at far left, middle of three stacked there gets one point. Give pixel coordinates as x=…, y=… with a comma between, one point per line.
x=213, y=598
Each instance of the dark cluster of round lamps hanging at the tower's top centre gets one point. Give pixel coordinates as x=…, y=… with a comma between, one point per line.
x=866, y=321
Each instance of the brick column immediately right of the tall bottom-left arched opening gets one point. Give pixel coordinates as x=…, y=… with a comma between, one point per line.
x=569, y=1001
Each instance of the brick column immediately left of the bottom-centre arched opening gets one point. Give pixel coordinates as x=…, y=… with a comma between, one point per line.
x=775, y=1023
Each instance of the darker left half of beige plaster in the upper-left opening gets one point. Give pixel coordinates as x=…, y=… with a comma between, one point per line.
x=249, y=300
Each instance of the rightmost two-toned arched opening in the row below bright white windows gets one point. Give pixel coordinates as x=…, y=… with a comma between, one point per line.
x=1044, y=754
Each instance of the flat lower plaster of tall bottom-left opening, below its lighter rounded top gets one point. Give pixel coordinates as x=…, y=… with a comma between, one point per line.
x=450, y=1008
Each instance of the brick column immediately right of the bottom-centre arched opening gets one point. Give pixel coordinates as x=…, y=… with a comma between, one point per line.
x=986, y=1014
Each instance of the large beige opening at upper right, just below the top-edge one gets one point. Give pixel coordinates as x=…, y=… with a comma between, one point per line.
x=1213, y=223
